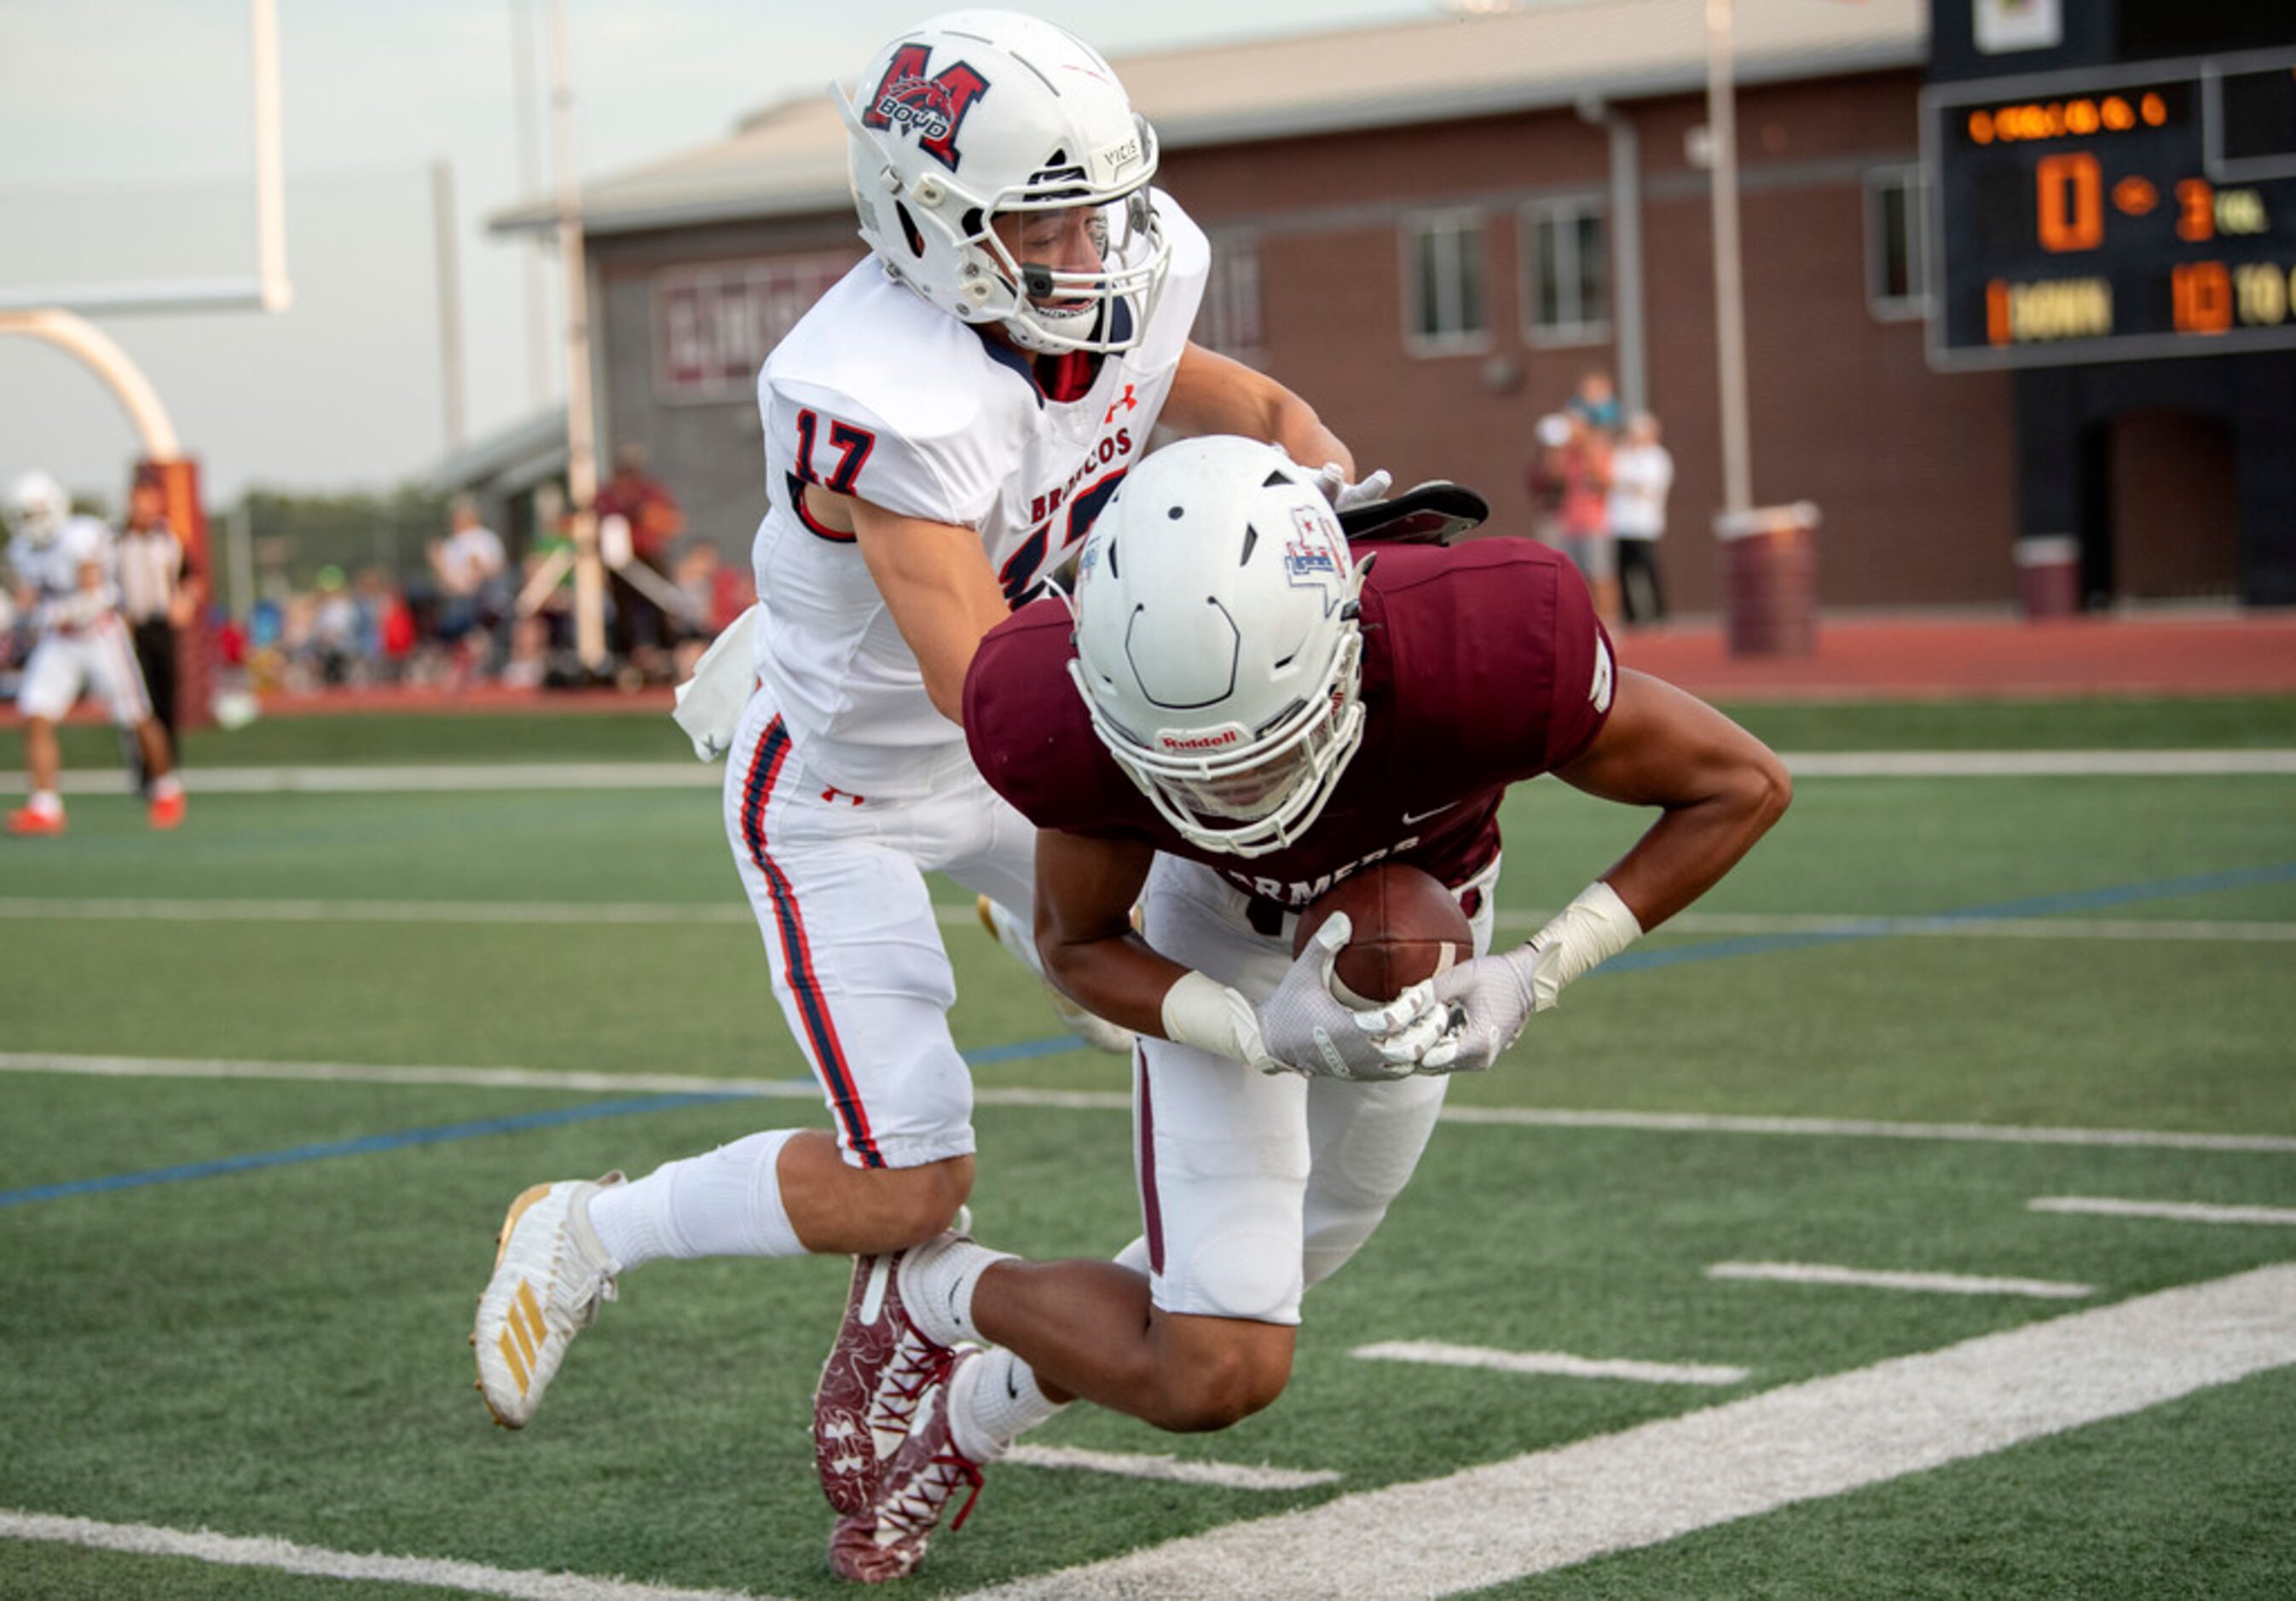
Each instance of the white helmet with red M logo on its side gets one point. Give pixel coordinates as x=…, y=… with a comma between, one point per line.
x=977, y=116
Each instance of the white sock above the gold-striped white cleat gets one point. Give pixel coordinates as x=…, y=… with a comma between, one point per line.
x=717, y=1205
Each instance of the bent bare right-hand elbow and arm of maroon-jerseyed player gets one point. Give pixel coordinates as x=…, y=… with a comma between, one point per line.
x=1719, y=787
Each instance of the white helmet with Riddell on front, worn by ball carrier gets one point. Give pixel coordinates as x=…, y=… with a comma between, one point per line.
x=1218, y=642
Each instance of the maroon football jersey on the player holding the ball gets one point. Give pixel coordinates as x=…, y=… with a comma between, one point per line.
x=1484, y=665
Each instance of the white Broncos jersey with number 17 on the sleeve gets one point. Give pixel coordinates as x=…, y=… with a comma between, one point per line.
x=881, y=396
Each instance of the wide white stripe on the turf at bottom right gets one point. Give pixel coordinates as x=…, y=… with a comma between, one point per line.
x=1829, y=1437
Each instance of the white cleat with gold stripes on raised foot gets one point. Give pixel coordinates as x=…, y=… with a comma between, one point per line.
x=550, y=1276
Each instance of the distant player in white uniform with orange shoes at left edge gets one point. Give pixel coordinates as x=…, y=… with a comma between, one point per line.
x=65, y=582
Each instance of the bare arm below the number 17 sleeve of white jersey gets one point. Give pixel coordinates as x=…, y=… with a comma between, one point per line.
x=936, y=582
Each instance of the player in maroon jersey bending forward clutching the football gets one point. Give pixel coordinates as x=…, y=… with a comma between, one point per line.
x=1236, y=713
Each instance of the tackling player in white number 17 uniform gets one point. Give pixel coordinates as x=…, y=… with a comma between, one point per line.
x=940, y=433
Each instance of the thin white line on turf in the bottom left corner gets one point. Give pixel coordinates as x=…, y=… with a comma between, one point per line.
x=286, y=1556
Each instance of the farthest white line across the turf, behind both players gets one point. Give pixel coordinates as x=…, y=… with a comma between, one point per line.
x=605, y=775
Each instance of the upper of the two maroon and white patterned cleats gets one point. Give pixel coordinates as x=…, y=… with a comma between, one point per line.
x=871, y=1386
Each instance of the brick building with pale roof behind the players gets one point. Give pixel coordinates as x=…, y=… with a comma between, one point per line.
x=1432, y=231
